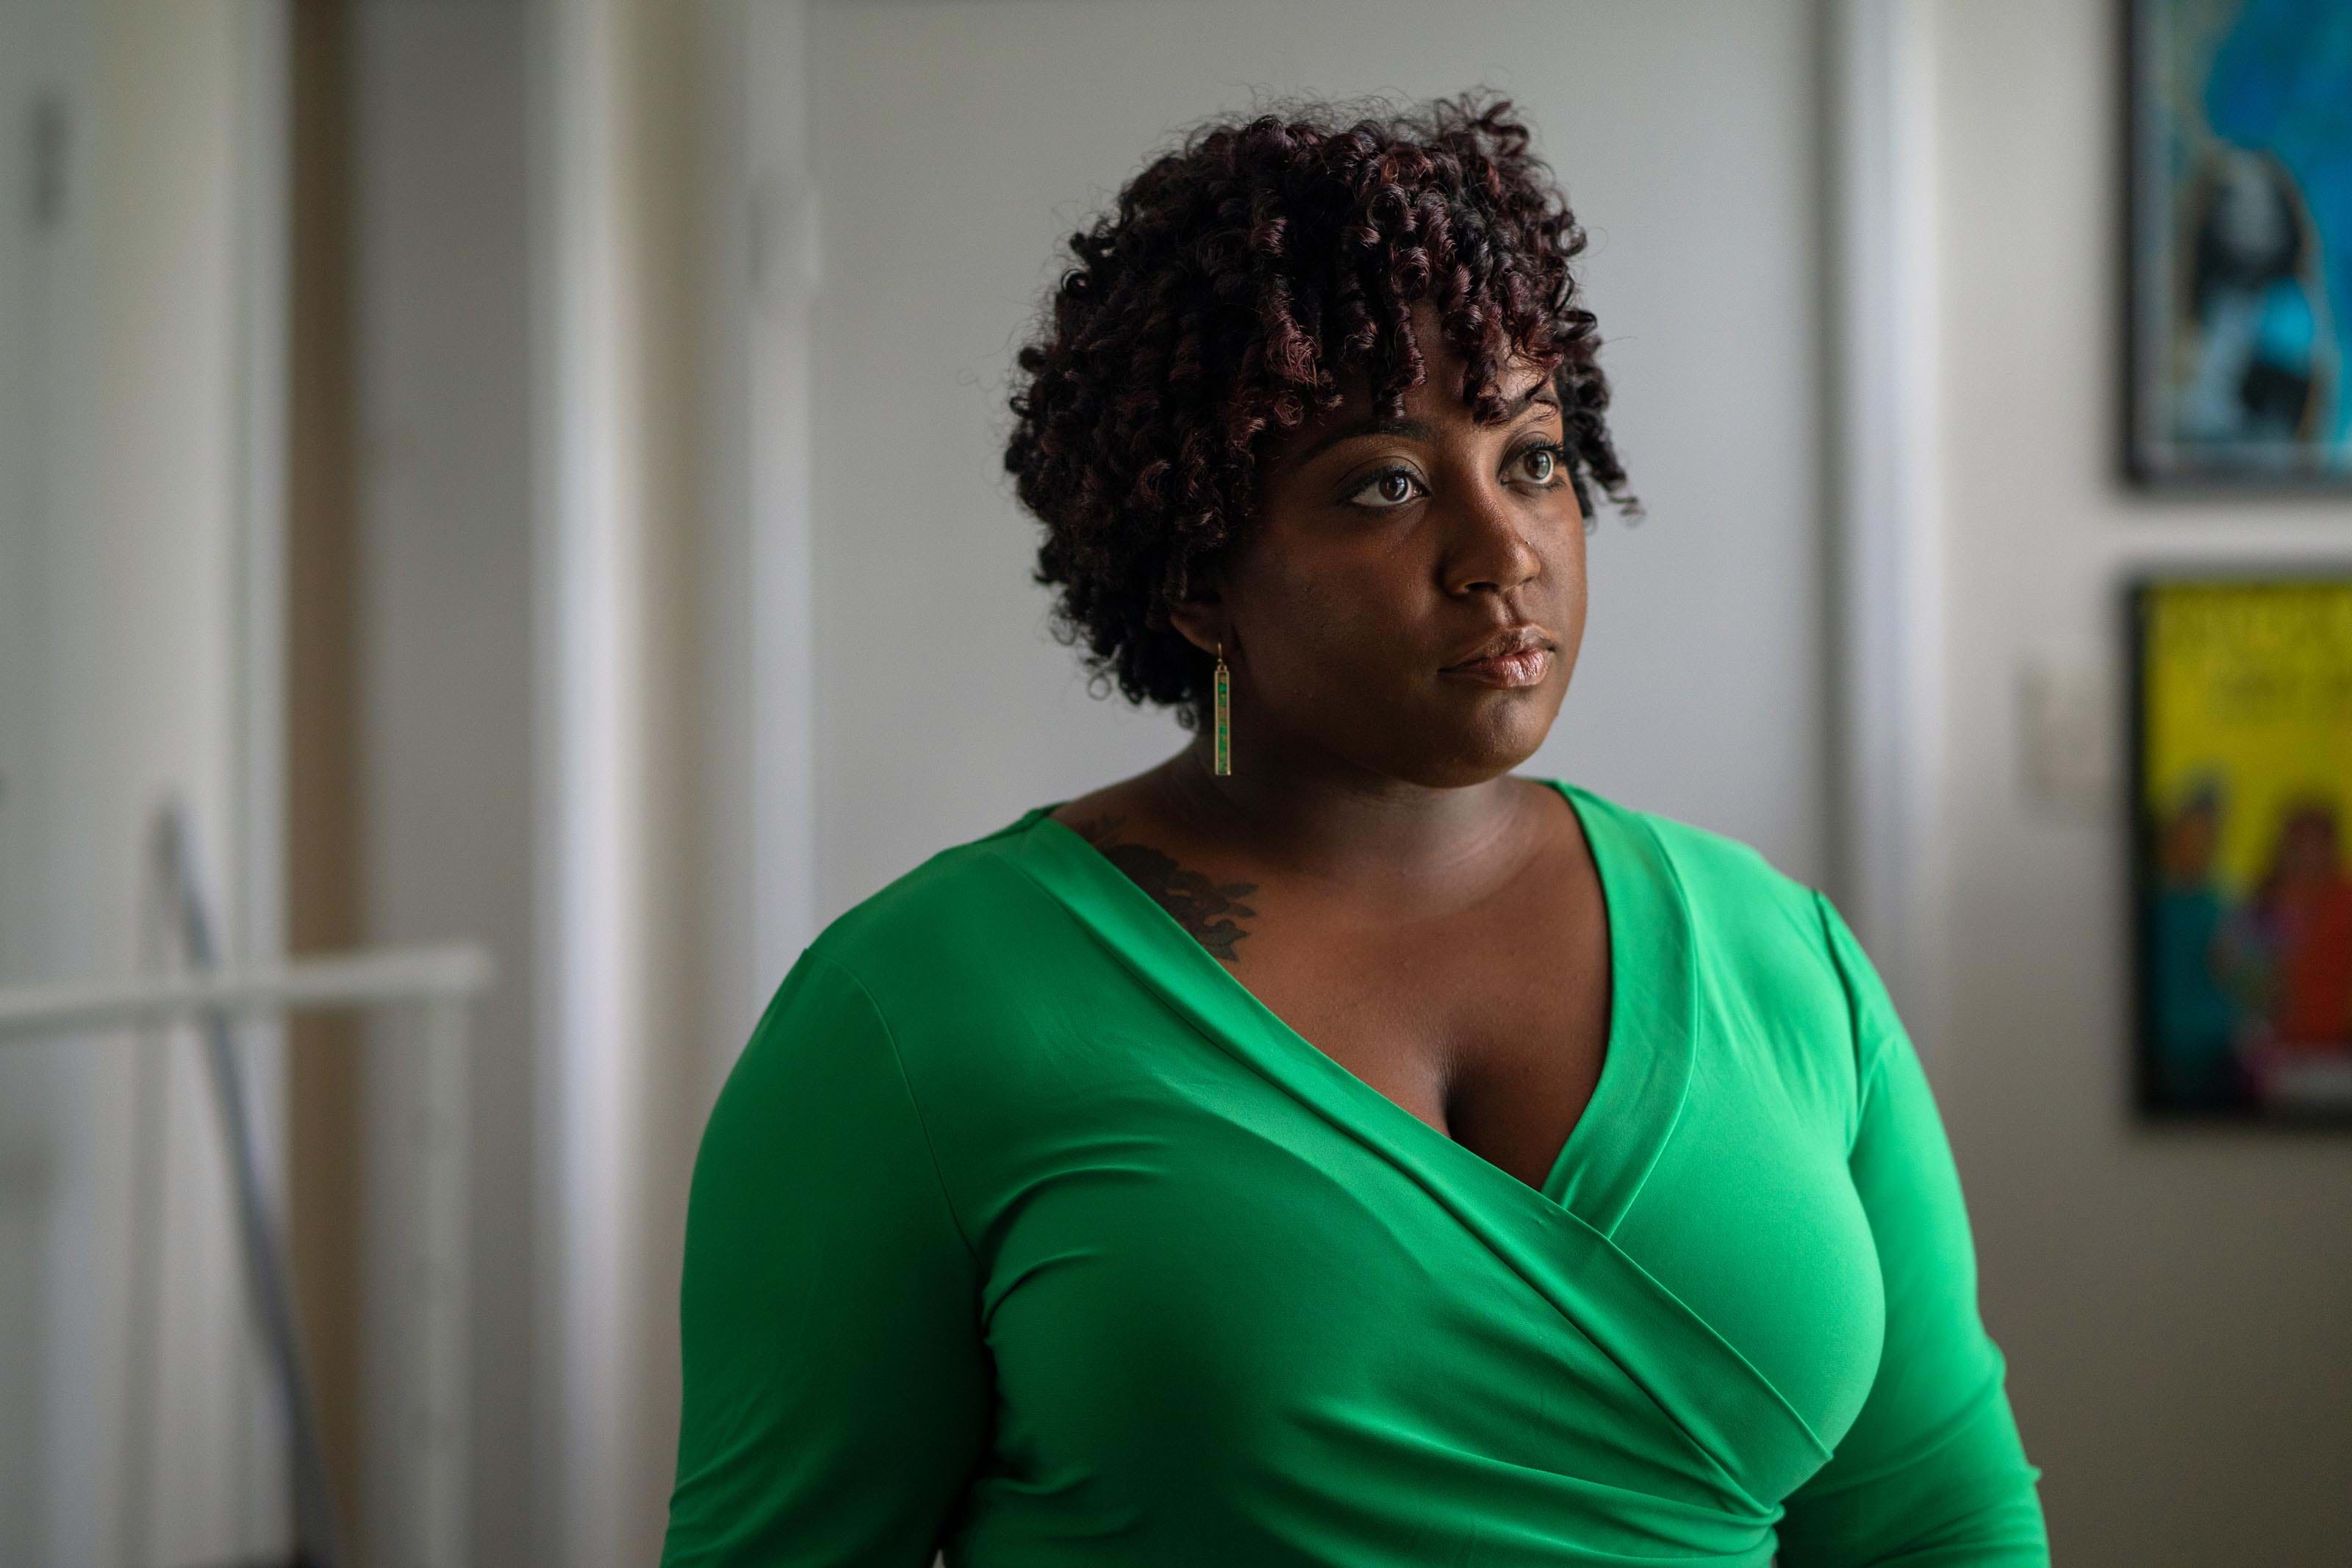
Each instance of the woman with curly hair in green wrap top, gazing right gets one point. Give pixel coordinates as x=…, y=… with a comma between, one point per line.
x=1330, y=1146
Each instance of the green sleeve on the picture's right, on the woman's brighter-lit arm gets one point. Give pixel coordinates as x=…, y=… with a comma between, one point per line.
x=1932, y=1475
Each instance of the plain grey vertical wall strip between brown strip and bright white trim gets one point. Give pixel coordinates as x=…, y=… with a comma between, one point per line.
x=441, y=340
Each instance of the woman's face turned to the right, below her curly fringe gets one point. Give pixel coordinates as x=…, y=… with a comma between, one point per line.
x=1389, y=554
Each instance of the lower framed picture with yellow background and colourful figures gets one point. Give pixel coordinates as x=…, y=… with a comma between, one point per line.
x=2243, y=845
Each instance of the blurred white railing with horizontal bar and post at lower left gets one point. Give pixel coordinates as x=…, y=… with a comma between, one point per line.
x=422, y=1510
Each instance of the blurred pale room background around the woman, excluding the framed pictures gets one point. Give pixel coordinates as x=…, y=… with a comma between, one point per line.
x=521, y=488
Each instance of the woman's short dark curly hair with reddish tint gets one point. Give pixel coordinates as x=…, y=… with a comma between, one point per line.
x=1241, y=283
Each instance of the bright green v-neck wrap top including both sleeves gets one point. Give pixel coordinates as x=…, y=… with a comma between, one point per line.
x=1029, y=1235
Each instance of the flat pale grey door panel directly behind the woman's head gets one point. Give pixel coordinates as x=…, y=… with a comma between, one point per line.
x=958, y=142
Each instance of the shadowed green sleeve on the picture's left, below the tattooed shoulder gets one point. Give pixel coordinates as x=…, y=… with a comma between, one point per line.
x=836, y=1386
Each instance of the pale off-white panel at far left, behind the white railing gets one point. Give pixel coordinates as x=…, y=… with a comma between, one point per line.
x=126, y=516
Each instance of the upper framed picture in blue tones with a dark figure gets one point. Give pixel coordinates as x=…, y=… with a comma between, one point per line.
x=2240, y=217
